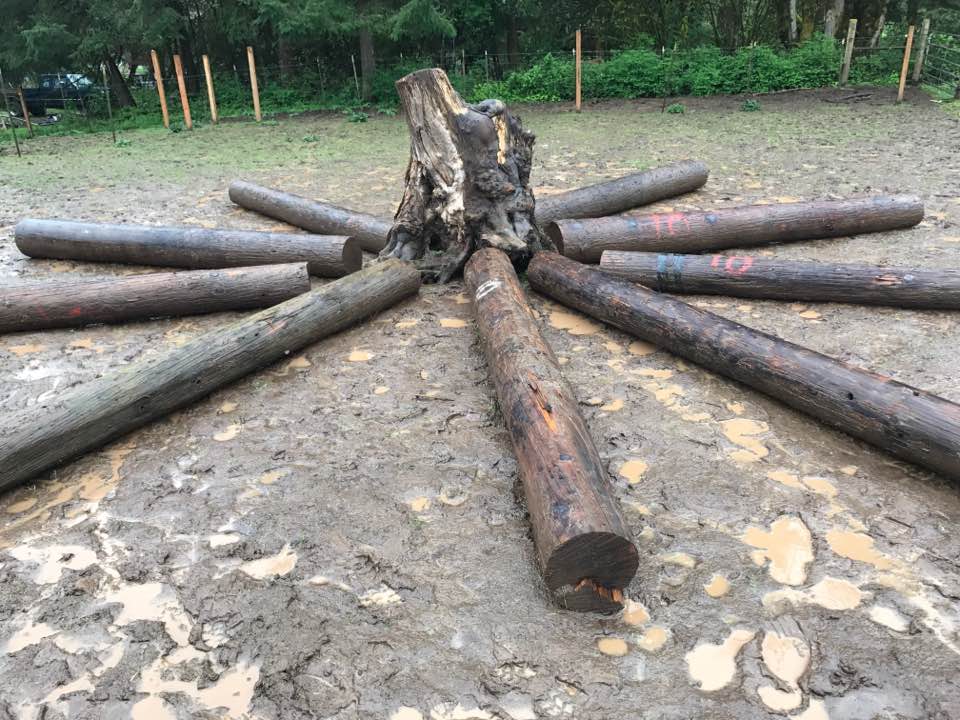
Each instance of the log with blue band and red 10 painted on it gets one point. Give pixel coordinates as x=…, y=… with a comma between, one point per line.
x=758, y=277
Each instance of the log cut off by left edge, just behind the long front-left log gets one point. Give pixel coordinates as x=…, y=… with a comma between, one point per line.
x=44, y=305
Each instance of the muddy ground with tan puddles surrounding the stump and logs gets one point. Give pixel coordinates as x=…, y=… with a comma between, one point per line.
x=337, y=536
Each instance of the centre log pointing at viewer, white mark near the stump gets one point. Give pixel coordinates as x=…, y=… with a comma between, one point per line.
x=585, y=548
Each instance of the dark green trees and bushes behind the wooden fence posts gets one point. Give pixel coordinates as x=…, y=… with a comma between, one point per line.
x=348, y=53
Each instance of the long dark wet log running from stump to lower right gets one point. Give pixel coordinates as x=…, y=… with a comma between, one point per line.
x=907, y=422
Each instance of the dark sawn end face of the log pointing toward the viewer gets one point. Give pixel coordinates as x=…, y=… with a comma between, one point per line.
x=589, y=571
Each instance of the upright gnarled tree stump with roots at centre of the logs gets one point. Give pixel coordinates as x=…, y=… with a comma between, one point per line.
x=467, y=184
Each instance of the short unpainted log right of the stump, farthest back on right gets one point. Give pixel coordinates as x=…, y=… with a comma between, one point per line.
x=630, y=191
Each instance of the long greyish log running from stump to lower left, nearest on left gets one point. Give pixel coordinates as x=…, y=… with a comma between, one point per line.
x=74, y=422
